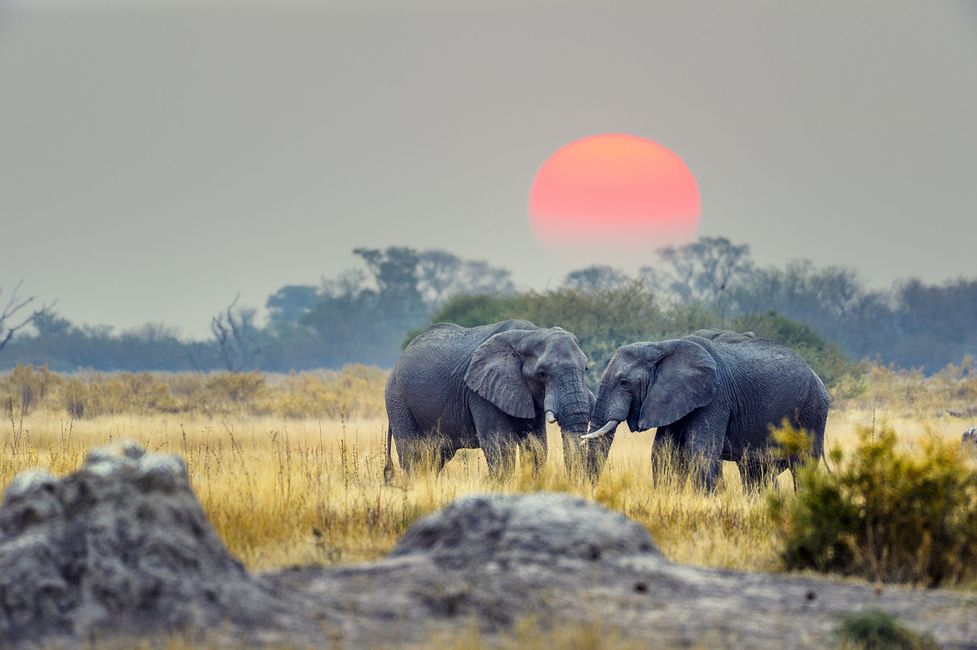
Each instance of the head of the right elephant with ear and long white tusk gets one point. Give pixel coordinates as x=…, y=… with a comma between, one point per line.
x=652, y=385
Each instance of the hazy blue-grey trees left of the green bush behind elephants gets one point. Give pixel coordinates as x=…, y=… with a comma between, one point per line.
x=359, y=316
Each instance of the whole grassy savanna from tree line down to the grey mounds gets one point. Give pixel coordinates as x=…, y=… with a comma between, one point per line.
x=285, y=488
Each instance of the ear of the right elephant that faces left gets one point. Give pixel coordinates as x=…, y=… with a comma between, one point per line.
x=684, y=381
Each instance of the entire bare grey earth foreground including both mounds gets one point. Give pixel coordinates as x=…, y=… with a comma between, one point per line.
x=121, y=547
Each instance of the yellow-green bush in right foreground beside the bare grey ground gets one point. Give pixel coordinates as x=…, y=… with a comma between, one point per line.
x=884, y=514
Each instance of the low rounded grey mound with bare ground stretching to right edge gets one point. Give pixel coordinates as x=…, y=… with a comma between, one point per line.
x=497, y=561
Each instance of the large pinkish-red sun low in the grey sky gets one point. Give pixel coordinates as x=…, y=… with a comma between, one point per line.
x=615, y=189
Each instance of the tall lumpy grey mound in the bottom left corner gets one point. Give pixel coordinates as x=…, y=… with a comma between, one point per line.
x=121, y=545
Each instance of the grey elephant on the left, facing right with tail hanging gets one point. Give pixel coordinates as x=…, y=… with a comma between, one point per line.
x=493, y=387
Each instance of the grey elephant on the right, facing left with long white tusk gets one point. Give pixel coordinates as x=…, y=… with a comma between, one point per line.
x=713, y=396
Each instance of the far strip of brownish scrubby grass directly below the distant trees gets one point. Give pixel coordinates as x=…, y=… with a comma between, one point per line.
x=357, y=391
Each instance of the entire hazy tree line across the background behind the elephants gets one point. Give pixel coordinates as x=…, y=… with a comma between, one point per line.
x=365, y=314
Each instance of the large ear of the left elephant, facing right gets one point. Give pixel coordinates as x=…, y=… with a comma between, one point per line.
x=495, y=373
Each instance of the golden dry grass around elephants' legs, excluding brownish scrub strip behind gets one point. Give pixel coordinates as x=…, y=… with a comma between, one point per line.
x=283, y=492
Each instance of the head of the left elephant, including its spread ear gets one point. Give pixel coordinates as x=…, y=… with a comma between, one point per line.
x=522, y=371
